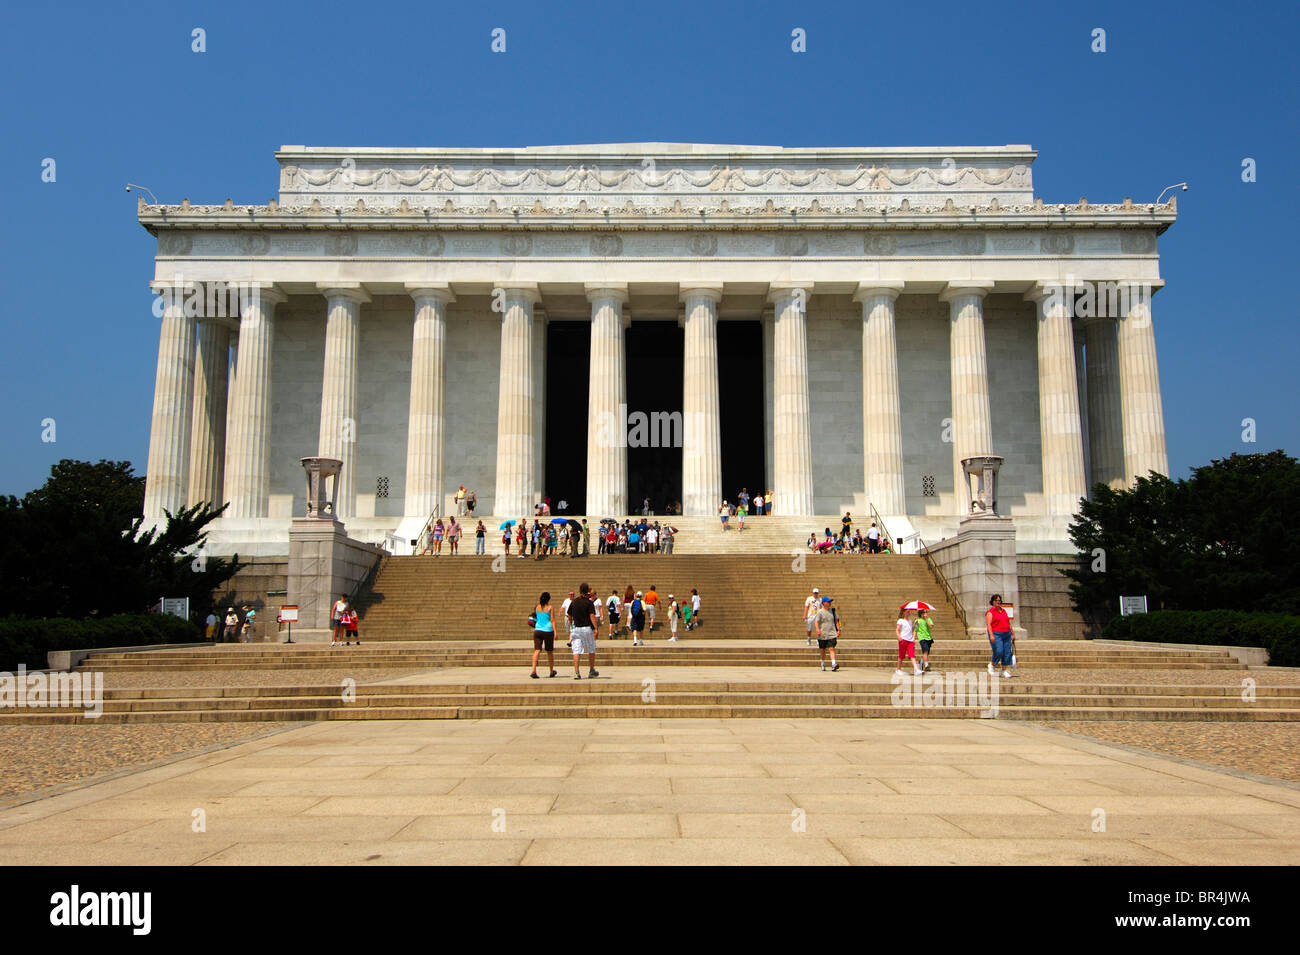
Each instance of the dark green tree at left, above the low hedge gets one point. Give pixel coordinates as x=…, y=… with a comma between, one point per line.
x=76, y=548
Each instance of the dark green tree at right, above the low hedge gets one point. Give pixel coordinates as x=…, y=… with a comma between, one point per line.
x=1225, y=539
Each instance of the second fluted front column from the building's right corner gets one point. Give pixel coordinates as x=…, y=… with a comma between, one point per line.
x=1060, y=428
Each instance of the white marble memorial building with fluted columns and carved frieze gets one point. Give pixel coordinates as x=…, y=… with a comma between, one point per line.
x=917, y=306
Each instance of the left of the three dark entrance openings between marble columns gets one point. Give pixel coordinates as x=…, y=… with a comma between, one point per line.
x=569, y=354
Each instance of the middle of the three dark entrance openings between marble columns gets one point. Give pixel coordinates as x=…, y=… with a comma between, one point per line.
x=655, y=361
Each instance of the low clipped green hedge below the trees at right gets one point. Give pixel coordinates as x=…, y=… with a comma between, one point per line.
x=1279, y=633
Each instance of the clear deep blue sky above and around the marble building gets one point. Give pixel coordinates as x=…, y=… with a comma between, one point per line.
x=115, y=95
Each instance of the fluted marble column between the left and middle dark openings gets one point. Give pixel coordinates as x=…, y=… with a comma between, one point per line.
x=608, y=446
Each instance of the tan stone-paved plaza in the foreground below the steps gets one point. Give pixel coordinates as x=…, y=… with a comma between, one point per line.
x=664, y=792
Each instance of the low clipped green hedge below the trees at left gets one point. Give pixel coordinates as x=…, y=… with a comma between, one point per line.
x=28, y=641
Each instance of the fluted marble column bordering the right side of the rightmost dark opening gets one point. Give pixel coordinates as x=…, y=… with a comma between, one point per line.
x=792, y=411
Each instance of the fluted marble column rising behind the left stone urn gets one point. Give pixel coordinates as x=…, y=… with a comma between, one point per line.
x=339, y=435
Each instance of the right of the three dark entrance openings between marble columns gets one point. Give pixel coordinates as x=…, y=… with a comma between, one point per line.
x=742, y=407
